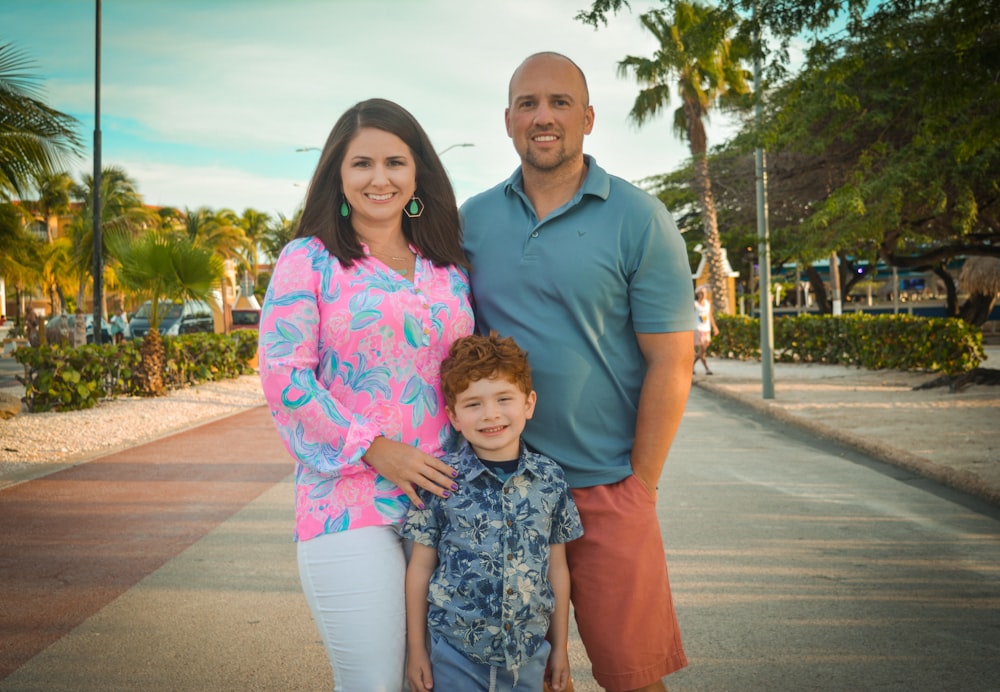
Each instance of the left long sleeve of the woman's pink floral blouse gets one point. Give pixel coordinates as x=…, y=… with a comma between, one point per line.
x=317, y=429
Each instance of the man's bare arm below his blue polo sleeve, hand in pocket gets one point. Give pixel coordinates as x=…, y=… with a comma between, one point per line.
x=661, y=402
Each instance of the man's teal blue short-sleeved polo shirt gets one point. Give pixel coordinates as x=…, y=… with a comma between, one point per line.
x=573, y=289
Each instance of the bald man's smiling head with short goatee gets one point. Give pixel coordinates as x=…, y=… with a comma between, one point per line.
x=548, y=115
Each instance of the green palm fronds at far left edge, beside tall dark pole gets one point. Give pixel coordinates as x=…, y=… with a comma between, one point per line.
x=34, y=139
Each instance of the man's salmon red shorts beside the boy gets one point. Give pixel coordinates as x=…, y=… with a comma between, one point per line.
x=620, y=589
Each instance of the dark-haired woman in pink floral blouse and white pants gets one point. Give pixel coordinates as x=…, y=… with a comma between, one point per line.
x=362, y=307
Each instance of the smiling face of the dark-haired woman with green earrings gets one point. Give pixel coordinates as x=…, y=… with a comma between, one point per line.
x=379, y=176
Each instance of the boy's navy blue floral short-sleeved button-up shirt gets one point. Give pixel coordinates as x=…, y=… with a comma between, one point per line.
x=490, y=595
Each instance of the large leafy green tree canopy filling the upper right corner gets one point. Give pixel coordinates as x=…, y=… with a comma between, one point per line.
x=901, y=169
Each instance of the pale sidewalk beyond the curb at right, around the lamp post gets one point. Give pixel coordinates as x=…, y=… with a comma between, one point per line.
x=950, y=437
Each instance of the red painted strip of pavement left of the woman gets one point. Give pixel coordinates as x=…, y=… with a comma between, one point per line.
x=75, y=540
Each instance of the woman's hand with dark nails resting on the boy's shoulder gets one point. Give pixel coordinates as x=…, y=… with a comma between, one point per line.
x=409, y=468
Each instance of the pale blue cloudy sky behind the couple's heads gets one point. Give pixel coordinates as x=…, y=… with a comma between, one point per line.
x=208, y=102
